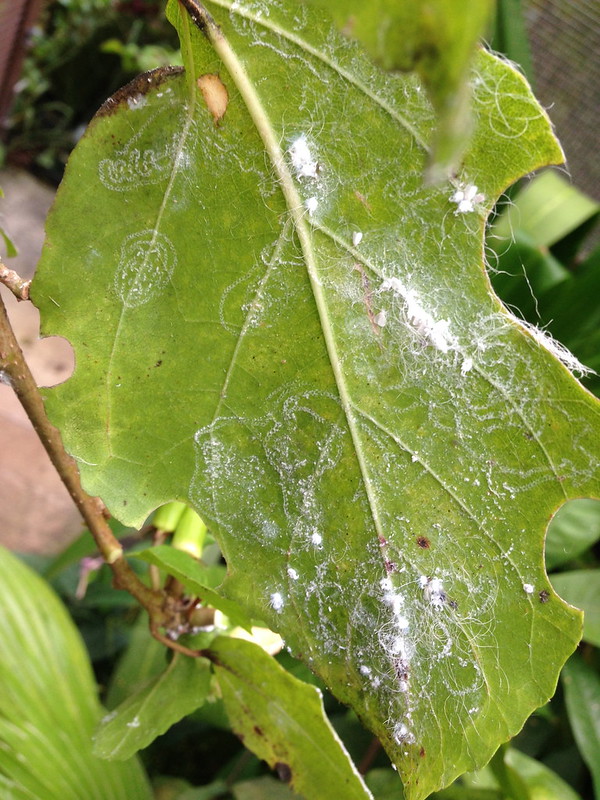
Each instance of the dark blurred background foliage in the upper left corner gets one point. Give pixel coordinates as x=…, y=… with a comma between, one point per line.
x=78, y=54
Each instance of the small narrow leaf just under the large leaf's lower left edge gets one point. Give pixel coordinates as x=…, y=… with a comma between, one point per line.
x=197, y=578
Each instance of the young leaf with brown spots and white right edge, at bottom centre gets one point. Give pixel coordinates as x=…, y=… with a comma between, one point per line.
x=282, y=720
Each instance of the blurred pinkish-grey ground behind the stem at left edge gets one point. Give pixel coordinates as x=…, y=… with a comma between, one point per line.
x=36, y=513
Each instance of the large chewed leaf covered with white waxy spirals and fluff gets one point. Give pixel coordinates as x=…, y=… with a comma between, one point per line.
x=293, y=335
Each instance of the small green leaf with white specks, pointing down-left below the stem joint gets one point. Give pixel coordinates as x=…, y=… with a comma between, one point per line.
x=167, y=698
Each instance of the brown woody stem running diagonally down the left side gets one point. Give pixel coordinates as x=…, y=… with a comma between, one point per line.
x=15, y=372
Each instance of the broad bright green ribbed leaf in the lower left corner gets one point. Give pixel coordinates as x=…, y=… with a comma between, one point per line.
x=48, y=703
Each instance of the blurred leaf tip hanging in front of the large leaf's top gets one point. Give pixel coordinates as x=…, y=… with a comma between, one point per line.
x=438, y=39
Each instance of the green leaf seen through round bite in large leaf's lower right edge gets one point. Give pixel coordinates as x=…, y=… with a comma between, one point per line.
x=574, y=528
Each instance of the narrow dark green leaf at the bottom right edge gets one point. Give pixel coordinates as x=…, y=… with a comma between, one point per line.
x=582, y=696
